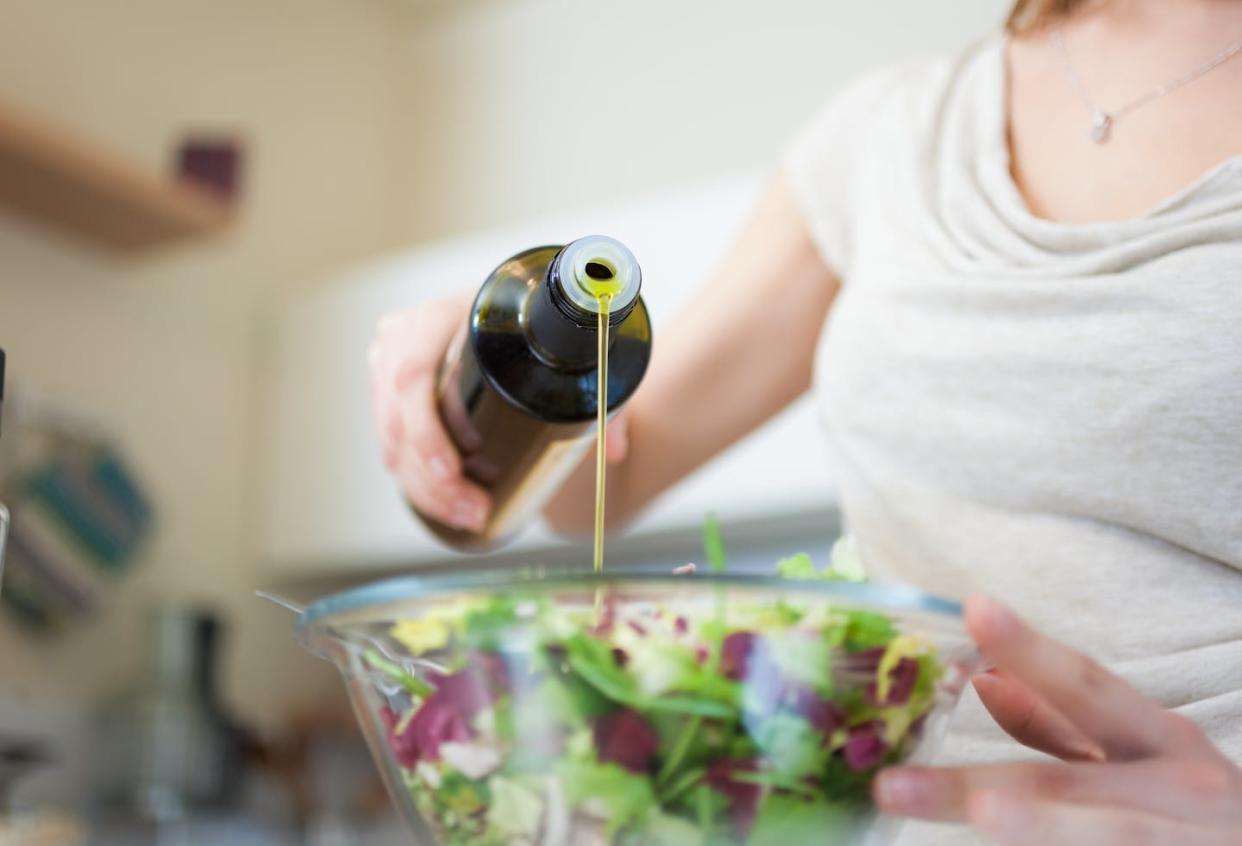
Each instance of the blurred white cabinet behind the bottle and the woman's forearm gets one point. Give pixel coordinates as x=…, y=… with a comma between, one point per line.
x=331, y=503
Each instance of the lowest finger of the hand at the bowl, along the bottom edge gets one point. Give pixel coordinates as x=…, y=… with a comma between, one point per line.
x=1012, y=822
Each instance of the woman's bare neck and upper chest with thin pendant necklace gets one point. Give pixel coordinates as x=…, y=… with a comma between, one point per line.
x=1123, y=53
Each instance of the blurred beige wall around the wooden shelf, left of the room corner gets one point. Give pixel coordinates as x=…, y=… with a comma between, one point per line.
x=165, y=348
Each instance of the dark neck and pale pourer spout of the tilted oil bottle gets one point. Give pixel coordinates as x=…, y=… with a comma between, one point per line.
x=563, y=314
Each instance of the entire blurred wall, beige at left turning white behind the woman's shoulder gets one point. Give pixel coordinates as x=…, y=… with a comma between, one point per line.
x=371, y=122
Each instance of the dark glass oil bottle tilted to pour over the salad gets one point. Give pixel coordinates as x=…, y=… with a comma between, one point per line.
x=520, y=391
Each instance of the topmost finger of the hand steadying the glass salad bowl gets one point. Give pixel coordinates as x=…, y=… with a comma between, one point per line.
x=1111, y=712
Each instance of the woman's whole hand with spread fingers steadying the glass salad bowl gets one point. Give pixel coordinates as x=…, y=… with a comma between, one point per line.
x=1131, y=773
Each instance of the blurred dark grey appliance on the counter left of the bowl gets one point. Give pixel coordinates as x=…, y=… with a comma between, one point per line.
x=167, y=750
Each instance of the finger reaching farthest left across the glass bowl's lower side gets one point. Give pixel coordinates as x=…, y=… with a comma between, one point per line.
x=1178, y=789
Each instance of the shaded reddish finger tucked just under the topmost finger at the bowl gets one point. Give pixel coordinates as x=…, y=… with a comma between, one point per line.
x=1031, y=721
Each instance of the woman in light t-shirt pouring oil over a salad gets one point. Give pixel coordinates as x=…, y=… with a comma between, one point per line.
x=1017, y=279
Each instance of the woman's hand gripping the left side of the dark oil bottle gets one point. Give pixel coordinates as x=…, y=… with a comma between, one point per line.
x=404, y=361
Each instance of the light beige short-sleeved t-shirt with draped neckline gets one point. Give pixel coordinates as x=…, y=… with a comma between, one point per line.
x=1050, y=413
